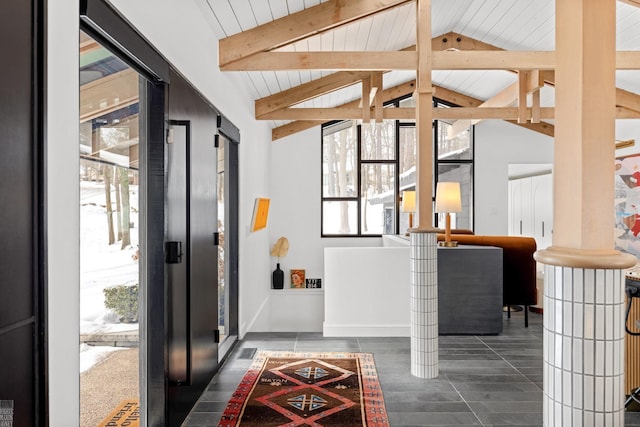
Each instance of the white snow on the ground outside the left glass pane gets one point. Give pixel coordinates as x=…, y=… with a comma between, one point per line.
x=102, y=265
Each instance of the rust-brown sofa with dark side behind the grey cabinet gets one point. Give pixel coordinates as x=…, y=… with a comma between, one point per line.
x=519, y=267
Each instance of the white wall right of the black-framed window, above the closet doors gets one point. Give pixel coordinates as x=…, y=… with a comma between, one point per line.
x=499, y=143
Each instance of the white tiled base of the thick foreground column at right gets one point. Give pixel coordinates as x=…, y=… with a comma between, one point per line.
x=583, y=343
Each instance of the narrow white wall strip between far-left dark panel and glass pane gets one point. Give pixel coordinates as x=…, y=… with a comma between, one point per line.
x=63, y=214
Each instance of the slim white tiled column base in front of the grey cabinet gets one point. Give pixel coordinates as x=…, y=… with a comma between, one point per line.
x=424, y=304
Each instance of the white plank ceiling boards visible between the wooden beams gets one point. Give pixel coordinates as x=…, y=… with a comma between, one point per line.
x=506, y=24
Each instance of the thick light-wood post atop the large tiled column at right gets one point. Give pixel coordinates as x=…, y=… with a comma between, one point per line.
x=585, y=125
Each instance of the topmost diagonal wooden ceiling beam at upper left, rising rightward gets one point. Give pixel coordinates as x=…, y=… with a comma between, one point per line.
x=297, y=26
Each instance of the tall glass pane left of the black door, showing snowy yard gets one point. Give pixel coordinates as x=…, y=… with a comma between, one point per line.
x=110, y=243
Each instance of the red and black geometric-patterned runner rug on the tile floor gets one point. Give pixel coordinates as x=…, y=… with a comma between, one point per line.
x=308, y=389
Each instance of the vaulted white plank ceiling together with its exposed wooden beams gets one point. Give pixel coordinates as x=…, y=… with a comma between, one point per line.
x=309, y=61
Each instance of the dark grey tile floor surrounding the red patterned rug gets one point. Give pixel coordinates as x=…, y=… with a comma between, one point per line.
x=484, y=380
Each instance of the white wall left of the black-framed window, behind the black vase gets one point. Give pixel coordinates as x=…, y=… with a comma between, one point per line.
x=294, y=213
